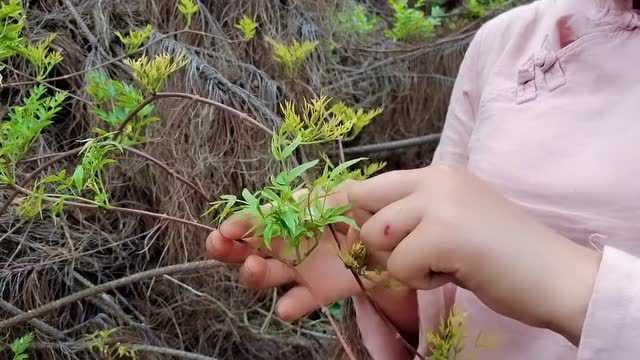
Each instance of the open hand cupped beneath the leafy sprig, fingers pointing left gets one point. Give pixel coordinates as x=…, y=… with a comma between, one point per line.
x=321, y=277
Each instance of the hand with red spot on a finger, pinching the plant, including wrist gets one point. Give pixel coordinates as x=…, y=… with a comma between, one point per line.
x=445, y=225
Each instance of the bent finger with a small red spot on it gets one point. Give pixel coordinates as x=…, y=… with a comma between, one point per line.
x=386, y=228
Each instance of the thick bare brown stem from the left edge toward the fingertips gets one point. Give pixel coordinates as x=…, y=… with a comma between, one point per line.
x=131, y=279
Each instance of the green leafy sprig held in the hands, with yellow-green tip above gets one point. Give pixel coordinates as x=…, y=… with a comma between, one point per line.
x=291, y=206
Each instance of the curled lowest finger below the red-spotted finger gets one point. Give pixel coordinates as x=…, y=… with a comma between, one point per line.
x=421, y=260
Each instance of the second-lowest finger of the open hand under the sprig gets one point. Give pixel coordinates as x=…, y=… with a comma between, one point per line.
x=260, y=273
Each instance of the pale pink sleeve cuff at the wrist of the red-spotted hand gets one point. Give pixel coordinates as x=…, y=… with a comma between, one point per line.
x=612, y=326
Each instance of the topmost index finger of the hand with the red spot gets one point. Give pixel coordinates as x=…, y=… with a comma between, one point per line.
x=379, y=191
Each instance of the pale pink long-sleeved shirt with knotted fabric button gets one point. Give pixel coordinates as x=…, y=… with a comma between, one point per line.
x=546, y=108
